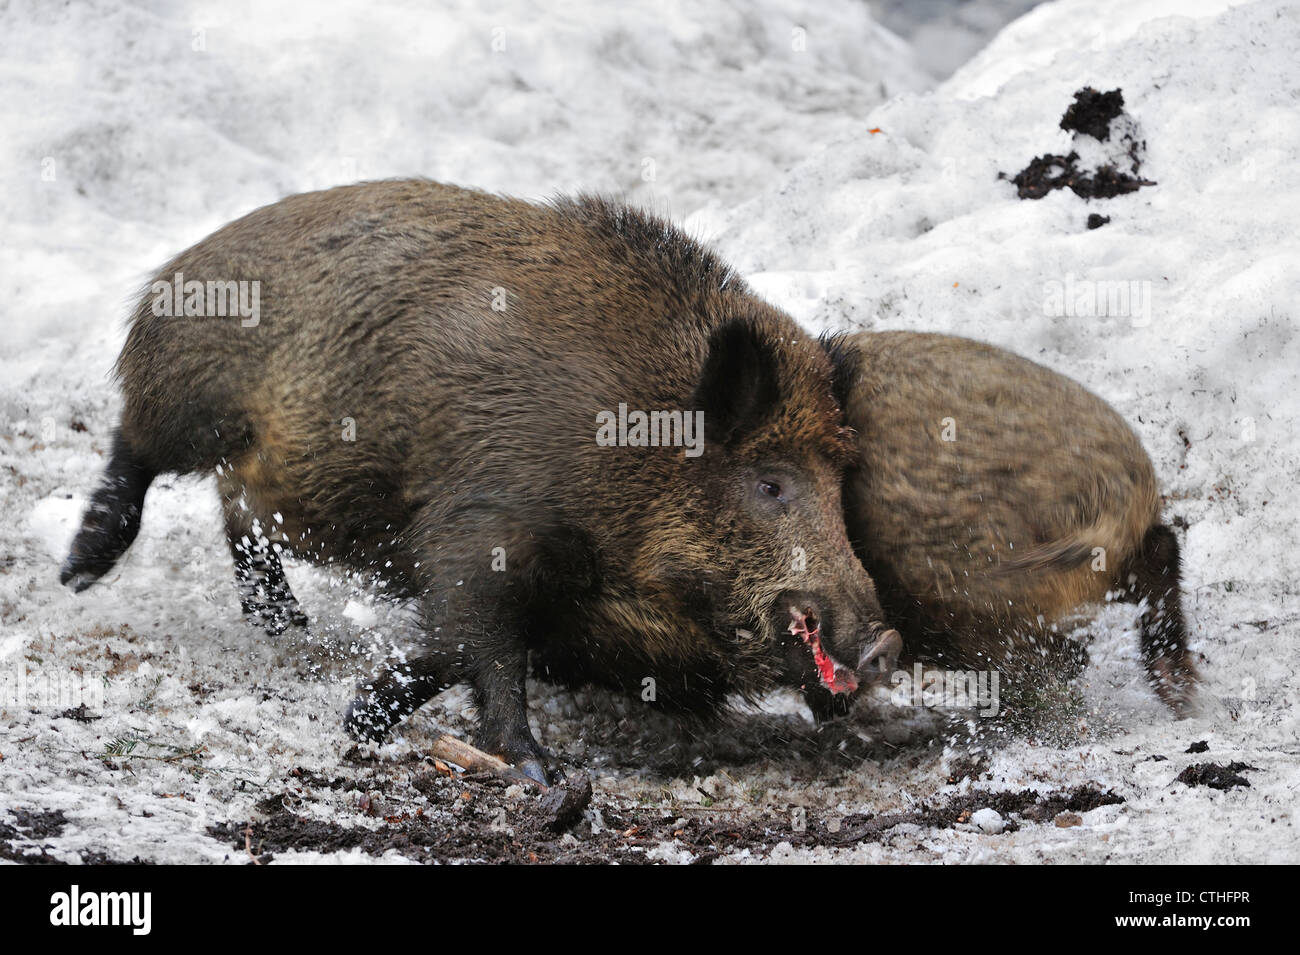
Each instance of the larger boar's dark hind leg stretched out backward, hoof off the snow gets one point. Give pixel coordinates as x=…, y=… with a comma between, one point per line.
x=112, y=519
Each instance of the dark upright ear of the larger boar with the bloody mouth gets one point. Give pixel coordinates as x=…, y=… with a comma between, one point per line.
x=740, y=384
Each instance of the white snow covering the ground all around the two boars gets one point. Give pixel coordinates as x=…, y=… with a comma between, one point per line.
x=135, y=131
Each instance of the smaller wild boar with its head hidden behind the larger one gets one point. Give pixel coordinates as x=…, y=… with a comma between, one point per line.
x=993, y=498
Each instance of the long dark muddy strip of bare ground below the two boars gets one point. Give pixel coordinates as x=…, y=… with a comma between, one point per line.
x=487, y=822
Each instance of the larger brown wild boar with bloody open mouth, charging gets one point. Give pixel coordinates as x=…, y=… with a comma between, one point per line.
x=495, y=407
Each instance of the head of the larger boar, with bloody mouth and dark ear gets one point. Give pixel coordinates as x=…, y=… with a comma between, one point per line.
x=774, y=563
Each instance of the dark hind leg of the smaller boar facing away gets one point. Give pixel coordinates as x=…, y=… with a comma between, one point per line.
x=1152, y=576
